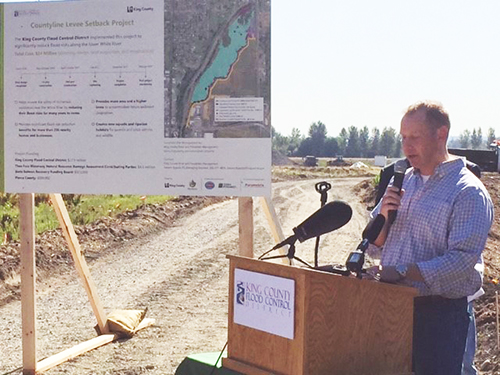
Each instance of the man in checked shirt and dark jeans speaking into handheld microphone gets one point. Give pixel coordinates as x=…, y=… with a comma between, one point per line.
x=444, y=215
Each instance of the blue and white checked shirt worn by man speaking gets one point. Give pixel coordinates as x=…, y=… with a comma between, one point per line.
x=442, y=226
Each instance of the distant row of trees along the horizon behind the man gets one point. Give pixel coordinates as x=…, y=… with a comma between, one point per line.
x=363, y=143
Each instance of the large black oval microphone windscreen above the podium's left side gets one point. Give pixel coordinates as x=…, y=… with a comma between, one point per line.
x=330, y=217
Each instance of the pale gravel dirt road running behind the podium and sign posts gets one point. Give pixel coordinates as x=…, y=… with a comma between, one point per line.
x=180, y=275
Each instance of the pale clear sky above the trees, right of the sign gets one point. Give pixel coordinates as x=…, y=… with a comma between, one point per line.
x=363, y=62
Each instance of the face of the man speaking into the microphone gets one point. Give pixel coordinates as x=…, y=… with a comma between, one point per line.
x=421, y=145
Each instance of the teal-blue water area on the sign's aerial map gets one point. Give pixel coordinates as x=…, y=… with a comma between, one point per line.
x=226, y=56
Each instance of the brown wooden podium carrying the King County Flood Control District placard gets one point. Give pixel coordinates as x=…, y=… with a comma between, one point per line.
x=342, y=325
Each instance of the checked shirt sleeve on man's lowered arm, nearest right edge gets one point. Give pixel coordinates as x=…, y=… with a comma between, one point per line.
x=468, y=229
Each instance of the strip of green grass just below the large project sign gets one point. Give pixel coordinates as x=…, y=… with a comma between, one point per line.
x=83, y=209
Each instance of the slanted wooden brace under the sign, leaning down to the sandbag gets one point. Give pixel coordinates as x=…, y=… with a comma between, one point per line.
x=80, y=263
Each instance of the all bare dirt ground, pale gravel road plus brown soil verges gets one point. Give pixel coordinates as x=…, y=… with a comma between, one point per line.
x=171, y=259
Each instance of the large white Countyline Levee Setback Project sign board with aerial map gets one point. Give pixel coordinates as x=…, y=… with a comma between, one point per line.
x=143, y=96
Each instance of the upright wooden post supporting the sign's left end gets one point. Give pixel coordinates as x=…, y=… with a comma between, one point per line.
x=28, y=280
